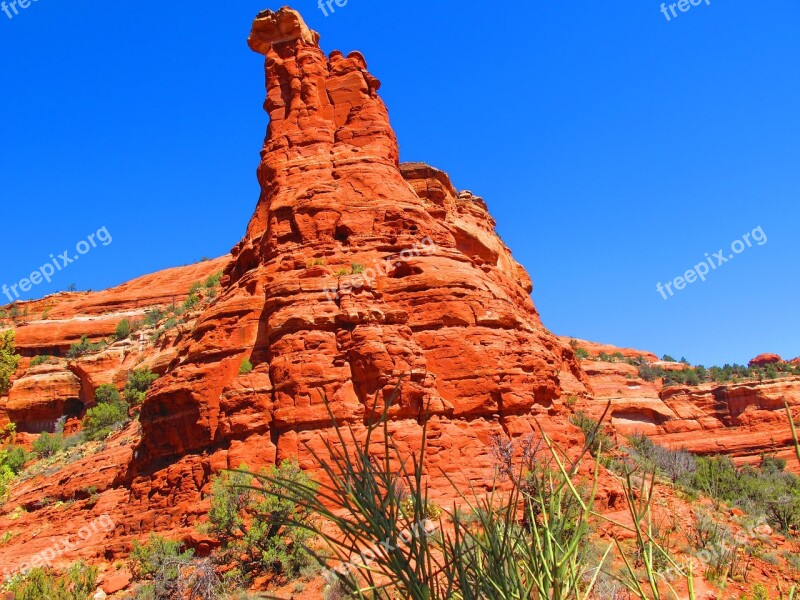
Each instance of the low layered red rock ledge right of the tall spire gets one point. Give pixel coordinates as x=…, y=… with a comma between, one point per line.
x=742, y=420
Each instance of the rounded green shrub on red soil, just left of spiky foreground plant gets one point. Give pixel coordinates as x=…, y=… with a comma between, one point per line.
x=251, y=524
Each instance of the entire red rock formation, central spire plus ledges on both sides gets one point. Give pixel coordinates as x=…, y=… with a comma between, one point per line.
x=355, y=271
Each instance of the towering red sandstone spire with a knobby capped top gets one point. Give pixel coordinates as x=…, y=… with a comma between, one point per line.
x=440, y=300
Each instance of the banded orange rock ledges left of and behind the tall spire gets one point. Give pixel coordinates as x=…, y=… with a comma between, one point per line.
x=41, y=395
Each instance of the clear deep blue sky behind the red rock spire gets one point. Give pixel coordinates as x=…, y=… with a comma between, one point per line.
x=614, y=148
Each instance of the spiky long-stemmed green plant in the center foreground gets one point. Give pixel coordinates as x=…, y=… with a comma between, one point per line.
x=385, y=544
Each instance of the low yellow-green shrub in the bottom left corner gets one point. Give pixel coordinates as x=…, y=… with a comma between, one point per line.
x=77, y=583
